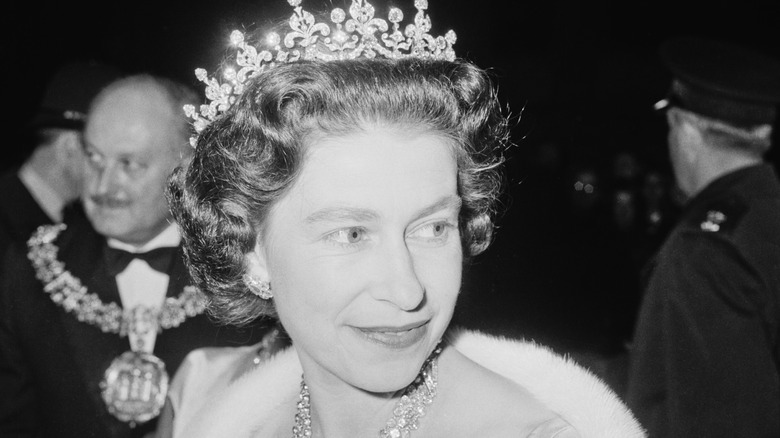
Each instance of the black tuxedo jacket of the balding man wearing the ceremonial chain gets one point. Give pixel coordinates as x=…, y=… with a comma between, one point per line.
x=51, y=364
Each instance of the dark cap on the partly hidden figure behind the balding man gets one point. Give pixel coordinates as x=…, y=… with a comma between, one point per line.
x=69, y=93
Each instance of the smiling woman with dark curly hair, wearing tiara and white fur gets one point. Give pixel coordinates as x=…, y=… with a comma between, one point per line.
x=343, y=192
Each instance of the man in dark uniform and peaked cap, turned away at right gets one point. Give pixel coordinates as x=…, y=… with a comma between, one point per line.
x=705, y=359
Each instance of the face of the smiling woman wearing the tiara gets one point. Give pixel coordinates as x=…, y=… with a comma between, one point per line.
x=364, y=256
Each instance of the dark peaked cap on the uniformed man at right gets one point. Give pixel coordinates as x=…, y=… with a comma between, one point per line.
x=722, y=80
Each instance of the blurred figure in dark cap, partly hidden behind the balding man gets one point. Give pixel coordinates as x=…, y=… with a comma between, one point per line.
x=35, y=192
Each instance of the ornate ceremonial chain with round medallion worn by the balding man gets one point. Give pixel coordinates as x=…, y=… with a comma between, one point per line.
x=135, y=384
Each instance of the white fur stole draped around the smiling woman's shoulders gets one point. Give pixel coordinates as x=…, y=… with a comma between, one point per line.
x=577, y=395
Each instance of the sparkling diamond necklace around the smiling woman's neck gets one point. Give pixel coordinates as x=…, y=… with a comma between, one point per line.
x=406, y=414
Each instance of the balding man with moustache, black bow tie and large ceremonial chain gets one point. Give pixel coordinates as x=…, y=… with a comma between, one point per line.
x=98, y=312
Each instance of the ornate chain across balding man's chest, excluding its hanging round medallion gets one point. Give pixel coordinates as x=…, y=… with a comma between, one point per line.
x=69, y=293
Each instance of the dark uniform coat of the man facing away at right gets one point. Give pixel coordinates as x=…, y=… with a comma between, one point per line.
x=706, y=358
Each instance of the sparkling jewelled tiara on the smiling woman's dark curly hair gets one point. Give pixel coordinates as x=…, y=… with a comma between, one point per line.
x=359, y=36
